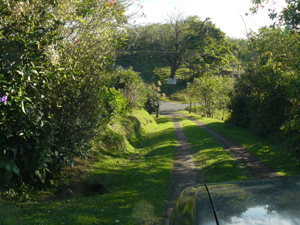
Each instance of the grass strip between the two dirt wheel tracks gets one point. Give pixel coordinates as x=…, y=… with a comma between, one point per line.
x=212, y=162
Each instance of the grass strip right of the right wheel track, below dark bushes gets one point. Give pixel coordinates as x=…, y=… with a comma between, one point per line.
x=287, y=163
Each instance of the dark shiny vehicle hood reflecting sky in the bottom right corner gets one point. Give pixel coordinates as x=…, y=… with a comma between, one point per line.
x=240, y=203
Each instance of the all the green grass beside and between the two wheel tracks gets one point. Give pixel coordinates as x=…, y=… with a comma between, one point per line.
x=138, y=179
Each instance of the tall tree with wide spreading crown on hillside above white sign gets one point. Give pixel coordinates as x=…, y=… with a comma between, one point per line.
x=188, y=39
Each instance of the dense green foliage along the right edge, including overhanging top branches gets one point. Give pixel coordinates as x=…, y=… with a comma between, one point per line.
x=266, y=97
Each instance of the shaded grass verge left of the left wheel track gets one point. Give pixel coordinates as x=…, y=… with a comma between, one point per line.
x=138, y=188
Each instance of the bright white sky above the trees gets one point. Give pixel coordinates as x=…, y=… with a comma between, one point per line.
x=225, y=14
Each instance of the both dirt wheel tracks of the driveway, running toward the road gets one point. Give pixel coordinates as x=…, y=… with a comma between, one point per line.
x=183, y=174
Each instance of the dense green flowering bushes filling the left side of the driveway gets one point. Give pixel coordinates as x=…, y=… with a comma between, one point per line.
x=56, y=84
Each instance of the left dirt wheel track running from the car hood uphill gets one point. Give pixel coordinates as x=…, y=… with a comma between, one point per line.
x=183, y=170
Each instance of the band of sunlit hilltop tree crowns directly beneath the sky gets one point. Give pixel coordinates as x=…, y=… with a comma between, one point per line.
x=181, y=40
